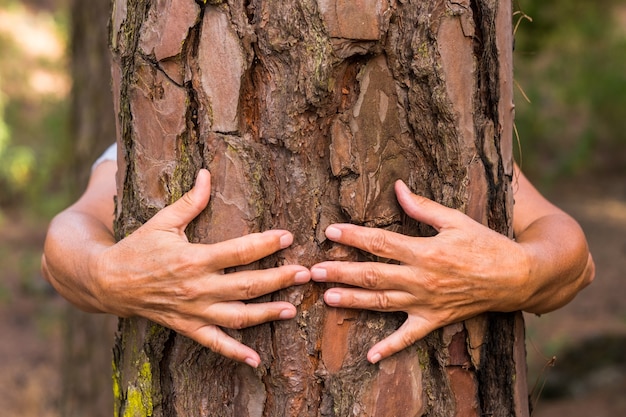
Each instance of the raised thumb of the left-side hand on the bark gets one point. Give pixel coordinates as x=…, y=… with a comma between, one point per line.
x=180, y=213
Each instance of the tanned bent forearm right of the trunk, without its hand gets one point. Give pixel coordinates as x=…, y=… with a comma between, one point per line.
x=560, y=264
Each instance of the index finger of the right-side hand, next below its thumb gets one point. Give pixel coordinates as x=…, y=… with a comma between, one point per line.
x=380, y=242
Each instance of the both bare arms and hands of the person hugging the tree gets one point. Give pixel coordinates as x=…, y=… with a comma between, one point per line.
x=465, y=270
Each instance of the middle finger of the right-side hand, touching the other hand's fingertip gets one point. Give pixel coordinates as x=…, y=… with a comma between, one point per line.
x=368, y=275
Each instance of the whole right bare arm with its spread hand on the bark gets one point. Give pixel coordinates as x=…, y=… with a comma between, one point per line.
x=463, y=271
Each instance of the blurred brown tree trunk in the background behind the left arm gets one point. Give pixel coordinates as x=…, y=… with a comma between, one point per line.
x=86, y=376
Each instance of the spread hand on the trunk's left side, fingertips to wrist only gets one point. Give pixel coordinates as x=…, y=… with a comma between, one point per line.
x=157, y=274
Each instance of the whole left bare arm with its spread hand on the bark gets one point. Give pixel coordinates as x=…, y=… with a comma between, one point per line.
x=156, y=273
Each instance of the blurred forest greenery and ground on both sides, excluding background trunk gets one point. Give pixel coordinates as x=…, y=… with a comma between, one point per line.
x=570, y=72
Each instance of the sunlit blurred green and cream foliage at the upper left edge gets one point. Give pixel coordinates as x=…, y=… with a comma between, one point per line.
x=34, y=87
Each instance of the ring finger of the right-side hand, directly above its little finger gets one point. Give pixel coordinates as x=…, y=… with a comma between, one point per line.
x=386, y=301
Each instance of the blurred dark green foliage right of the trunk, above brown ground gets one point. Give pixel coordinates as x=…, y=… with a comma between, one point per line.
x=571, y=62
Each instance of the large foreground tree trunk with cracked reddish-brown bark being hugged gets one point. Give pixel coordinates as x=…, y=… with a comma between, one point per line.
x=306, y=112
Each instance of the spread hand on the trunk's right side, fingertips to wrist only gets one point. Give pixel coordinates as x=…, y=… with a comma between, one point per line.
x=465, y=270
